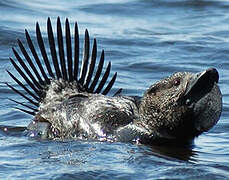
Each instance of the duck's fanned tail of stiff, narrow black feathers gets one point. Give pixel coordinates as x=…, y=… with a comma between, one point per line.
x=65, y=65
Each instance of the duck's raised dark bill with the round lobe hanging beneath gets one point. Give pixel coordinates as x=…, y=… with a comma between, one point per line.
x=204, y=99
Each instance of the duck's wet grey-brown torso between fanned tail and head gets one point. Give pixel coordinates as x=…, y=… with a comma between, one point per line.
x=84, y=115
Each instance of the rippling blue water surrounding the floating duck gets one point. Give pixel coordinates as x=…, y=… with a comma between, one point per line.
x=145, y=41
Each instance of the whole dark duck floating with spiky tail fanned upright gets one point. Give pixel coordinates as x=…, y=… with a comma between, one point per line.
x=71, y=104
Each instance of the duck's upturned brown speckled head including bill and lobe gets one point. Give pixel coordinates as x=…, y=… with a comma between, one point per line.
x=182, y=106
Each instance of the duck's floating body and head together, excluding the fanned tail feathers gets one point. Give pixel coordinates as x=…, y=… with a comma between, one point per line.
x=166, y=112
